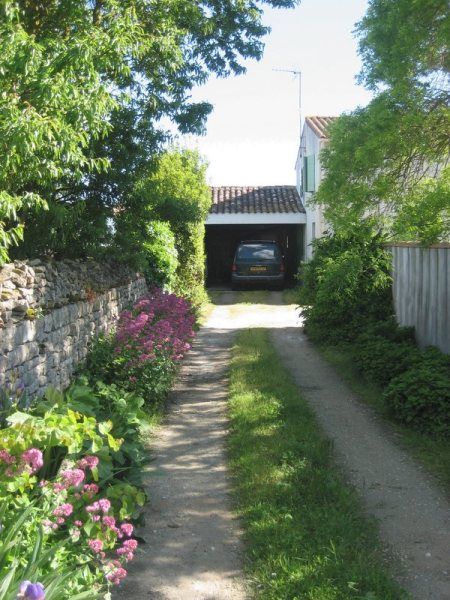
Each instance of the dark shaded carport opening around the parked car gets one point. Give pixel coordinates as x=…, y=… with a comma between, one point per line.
x=221, y=242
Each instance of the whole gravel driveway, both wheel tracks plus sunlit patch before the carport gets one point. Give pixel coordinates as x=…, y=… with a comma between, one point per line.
x=193, y=549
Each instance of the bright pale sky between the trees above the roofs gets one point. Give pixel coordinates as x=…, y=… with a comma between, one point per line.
x=252, y=135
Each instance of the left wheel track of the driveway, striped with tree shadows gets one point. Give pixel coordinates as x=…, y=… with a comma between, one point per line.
x=193, y=541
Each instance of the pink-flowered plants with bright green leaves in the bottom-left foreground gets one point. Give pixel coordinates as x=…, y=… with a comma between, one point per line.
x=74, y=517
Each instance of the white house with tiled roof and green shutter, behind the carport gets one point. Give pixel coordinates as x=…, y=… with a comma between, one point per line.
x=309, y=175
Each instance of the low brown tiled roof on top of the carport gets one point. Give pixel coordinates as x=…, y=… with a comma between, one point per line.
x=253, y=200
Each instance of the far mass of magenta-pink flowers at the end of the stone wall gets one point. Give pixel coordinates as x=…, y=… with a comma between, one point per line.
x=158, y=323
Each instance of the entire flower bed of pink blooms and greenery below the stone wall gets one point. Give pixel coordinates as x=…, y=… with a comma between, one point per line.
x=70, y=463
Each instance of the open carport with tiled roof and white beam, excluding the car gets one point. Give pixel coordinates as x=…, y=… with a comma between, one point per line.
x=253, y=213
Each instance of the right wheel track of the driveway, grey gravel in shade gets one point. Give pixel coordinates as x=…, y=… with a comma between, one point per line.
x=413, y=516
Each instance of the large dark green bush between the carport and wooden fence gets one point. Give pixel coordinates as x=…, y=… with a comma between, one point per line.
x=345, y=286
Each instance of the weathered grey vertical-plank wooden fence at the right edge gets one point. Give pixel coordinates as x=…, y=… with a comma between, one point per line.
x=422, y=291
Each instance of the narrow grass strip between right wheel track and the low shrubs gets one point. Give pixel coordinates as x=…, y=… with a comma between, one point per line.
x=433, y=453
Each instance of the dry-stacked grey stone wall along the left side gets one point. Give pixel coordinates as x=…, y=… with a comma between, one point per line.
x=49, y=312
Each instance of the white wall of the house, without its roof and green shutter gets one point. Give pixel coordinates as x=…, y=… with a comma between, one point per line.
x=315, y=222
